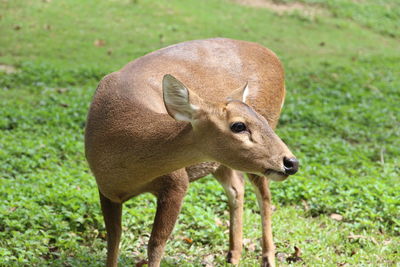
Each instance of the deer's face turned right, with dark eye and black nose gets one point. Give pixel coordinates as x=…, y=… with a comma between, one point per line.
x=235, y=135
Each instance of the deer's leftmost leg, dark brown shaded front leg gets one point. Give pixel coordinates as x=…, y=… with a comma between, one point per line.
x=112, y=217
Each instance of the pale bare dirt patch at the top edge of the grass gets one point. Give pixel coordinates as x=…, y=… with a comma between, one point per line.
x=281, y=8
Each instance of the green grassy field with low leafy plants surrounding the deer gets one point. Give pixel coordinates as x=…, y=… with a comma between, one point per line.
x=341, y=119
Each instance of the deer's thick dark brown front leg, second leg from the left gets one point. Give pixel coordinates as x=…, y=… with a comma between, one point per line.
x=170, y=190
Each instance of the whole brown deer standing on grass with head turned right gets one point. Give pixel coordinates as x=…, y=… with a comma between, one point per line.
x=148, y=131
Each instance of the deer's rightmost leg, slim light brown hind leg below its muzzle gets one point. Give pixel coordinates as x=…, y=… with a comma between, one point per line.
x=263, y=193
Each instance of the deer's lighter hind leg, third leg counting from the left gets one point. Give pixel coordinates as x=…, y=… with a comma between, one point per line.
x=233, y=183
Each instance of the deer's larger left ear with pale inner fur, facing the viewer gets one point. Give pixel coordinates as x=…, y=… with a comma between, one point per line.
x=177, y=99
